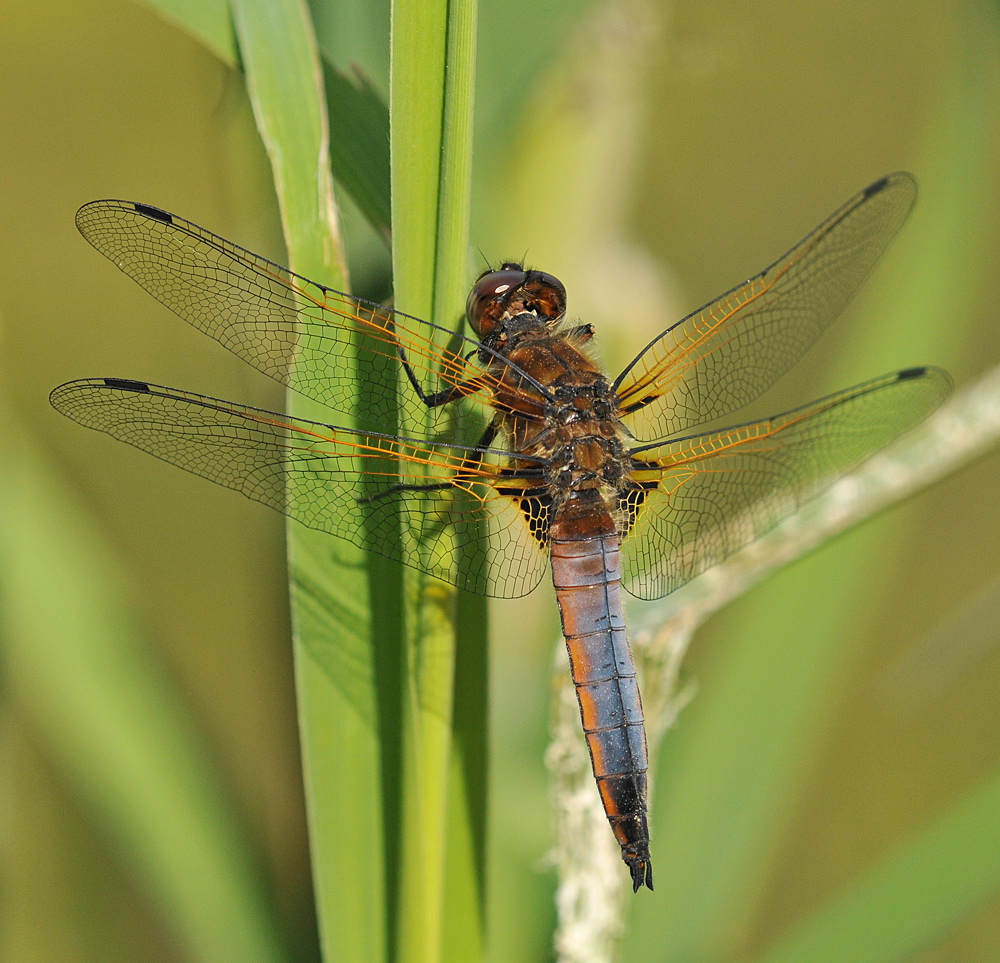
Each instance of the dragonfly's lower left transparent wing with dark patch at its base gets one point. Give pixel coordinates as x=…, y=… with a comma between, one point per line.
x=336, y=480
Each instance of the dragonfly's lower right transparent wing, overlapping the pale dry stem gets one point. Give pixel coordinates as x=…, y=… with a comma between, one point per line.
x=709, y=495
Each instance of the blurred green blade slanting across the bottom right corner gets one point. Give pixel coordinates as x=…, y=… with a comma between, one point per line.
x=910, y=900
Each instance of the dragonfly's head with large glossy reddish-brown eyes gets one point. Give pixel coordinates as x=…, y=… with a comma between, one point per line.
x=512, y=291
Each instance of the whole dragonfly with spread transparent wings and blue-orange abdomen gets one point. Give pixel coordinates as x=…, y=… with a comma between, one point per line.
x=487, y=458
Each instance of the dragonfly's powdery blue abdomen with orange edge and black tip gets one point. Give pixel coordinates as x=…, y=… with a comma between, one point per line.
x=587, y=578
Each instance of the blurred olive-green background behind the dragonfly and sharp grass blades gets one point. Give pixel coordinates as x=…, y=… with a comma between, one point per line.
x=650, y=155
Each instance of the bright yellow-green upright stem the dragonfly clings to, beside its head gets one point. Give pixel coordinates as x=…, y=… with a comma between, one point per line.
x=431, y=98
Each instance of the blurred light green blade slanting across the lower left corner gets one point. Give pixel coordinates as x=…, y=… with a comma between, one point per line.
x=111, y=719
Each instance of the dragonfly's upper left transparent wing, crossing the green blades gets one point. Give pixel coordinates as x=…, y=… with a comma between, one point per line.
x=319, y=341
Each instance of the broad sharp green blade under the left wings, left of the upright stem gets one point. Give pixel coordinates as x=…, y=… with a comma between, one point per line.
x=337, y=663
